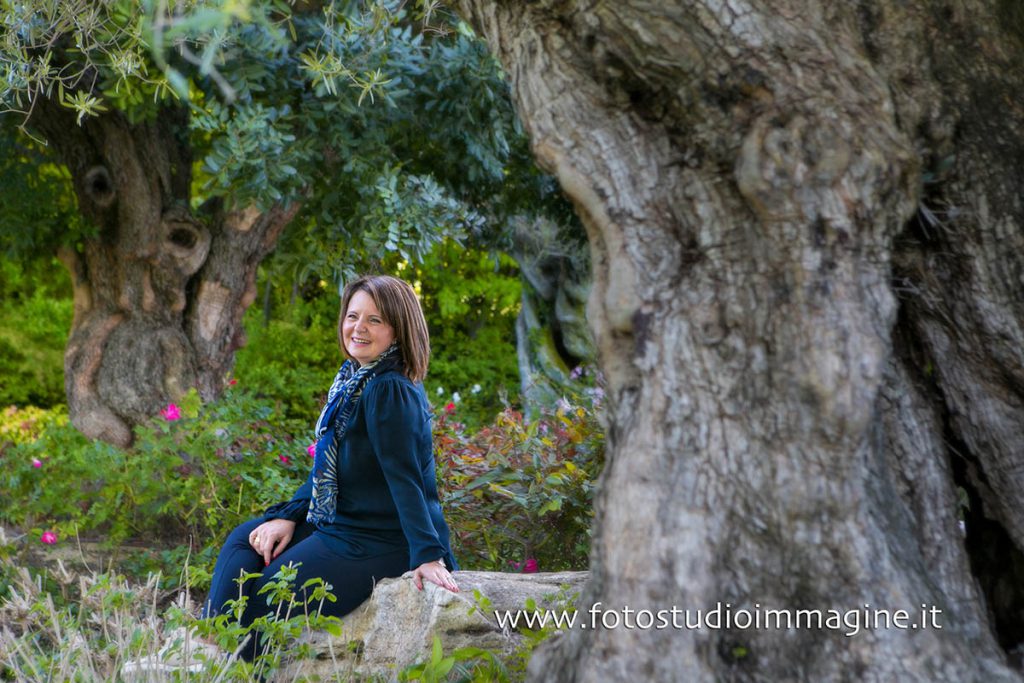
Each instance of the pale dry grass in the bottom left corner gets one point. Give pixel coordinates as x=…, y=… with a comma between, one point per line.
x=63, y=626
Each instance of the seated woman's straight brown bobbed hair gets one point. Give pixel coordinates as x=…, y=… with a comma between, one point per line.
x=401, y=309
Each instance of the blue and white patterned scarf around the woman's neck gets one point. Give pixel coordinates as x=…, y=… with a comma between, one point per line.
x=332, y=425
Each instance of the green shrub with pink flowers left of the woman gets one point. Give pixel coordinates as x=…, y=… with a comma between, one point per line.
x=193, y=474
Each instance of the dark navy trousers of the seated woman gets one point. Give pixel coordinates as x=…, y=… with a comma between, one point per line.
x=353, y=581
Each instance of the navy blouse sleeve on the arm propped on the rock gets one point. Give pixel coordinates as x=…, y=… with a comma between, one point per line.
x=396, y=423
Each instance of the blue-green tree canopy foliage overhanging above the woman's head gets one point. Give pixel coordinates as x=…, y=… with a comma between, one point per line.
x=392, y=124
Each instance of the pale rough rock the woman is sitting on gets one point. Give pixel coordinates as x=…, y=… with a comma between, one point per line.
x=396, y=627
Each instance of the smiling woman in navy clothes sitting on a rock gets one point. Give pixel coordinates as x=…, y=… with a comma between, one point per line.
x=370, y=509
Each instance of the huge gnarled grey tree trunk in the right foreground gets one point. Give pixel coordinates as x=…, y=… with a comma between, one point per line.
x=808, y=292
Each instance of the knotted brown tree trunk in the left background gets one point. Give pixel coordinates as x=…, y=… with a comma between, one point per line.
x=160, y=290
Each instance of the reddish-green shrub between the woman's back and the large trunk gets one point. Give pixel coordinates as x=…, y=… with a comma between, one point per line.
x=519, y=494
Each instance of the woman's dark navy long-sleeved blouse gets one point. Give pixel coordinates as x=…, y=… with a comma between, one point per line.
x=388, y=488
